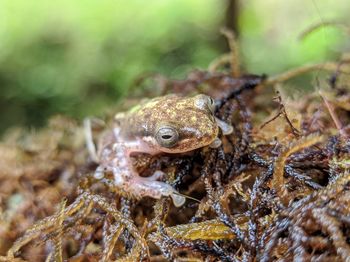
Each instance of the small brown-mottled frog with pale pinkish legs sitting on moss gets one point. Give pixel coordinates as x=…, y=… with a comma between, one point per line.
x=170, y=124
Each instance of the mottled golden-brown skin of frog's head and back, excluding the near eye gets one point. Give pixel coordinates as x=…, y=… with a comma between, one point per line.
x=192, y=117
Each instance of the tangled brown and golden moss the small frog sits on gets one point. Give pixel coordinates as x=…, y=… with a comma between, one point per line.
x=278, y=188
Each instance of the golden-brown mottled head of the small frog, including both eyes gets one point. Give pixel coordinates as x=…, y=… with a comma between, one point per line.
x=184, y=124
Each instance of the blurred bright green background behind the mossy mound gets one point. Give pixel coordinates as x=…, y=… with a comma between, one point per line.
x=80, y=57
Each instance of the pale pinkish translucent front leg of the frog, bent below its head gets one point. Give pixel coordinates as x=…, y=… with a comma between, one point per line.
x=125, y=177
